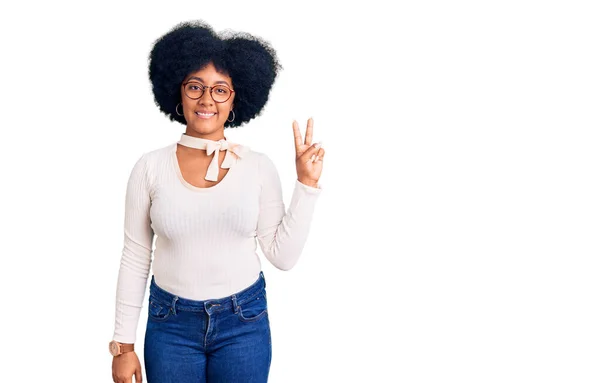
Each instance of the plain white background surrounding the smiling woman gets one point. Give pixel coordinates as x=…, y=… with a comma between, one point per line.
x=456, y=239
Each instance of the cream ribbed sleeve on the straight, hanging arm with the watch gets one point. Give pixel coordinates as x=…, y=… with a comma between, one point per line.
x=136, y=257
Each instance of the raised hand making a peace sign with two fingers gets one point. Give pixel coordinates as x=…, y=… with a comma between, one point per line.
x=309, y=157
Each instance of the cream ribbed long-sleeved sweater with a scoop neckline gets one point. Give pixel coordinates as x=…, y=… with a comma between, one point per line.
x=205, y=237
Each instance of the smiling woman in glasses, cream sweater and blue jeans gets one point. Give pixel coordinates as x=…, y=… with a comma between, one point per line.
x=208, y=201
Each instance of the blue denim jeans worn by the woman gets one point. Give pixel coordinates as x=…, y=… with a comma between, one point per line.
x=216, y=340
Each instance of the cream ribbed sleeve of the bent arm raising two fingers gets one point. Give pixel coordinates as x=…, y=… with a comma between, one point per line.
x=282, y=235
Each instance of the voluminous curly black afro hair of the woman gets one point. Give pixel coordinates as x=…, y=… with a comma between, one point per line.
x=250, y=61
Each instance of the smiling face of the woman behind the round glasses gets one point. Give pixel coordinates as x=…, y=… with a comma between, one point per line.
x=205, y=117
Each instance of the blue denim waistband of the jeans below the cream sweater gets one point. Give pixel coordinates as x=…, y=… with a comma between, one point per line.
x=214, y=305
